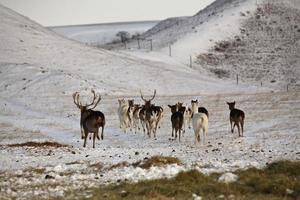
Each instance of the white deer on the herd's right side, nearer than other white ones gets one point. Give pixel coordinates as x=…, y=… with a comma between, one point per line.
x=199, y=121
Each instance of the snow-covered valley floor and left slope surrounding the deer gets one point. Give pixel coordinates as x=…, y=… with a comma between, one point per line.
x=40, y=70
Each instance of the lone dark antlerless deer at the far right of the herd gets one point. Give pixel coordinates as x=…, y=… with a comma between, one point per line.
x=237, y=117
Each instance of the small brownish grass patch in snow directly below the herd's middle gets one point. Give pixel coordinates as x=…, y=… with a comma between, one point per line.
x=157, y=161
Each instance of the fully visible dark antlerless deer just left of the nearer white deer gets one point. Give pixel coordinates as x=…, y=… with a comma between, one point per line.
x=177, y=120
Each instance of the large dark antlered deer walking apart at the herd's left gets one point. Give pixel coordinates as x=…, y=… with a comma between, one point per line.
x=90, y=120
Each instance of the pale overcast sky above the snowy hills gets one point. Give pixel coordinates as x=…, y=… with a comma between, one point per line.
x=69, y=12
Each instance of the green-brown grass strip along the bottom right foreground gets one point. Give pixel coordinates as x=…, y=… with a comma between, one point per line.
x=279, y=180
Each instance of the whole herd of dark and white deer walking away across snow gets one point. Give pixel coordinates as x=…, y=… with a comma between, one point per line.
x=148, y=117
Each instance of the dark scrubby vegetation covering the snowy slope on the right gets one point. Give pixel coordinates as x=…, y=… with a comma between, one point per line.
x=266, y=50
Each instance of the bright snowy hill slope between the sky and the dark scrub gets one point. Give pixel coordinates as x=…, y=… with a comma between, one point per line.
x=196, y=32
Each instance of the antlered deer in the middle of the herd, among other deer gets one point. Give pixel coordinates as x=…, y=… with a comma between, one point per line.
x=150, y=116
